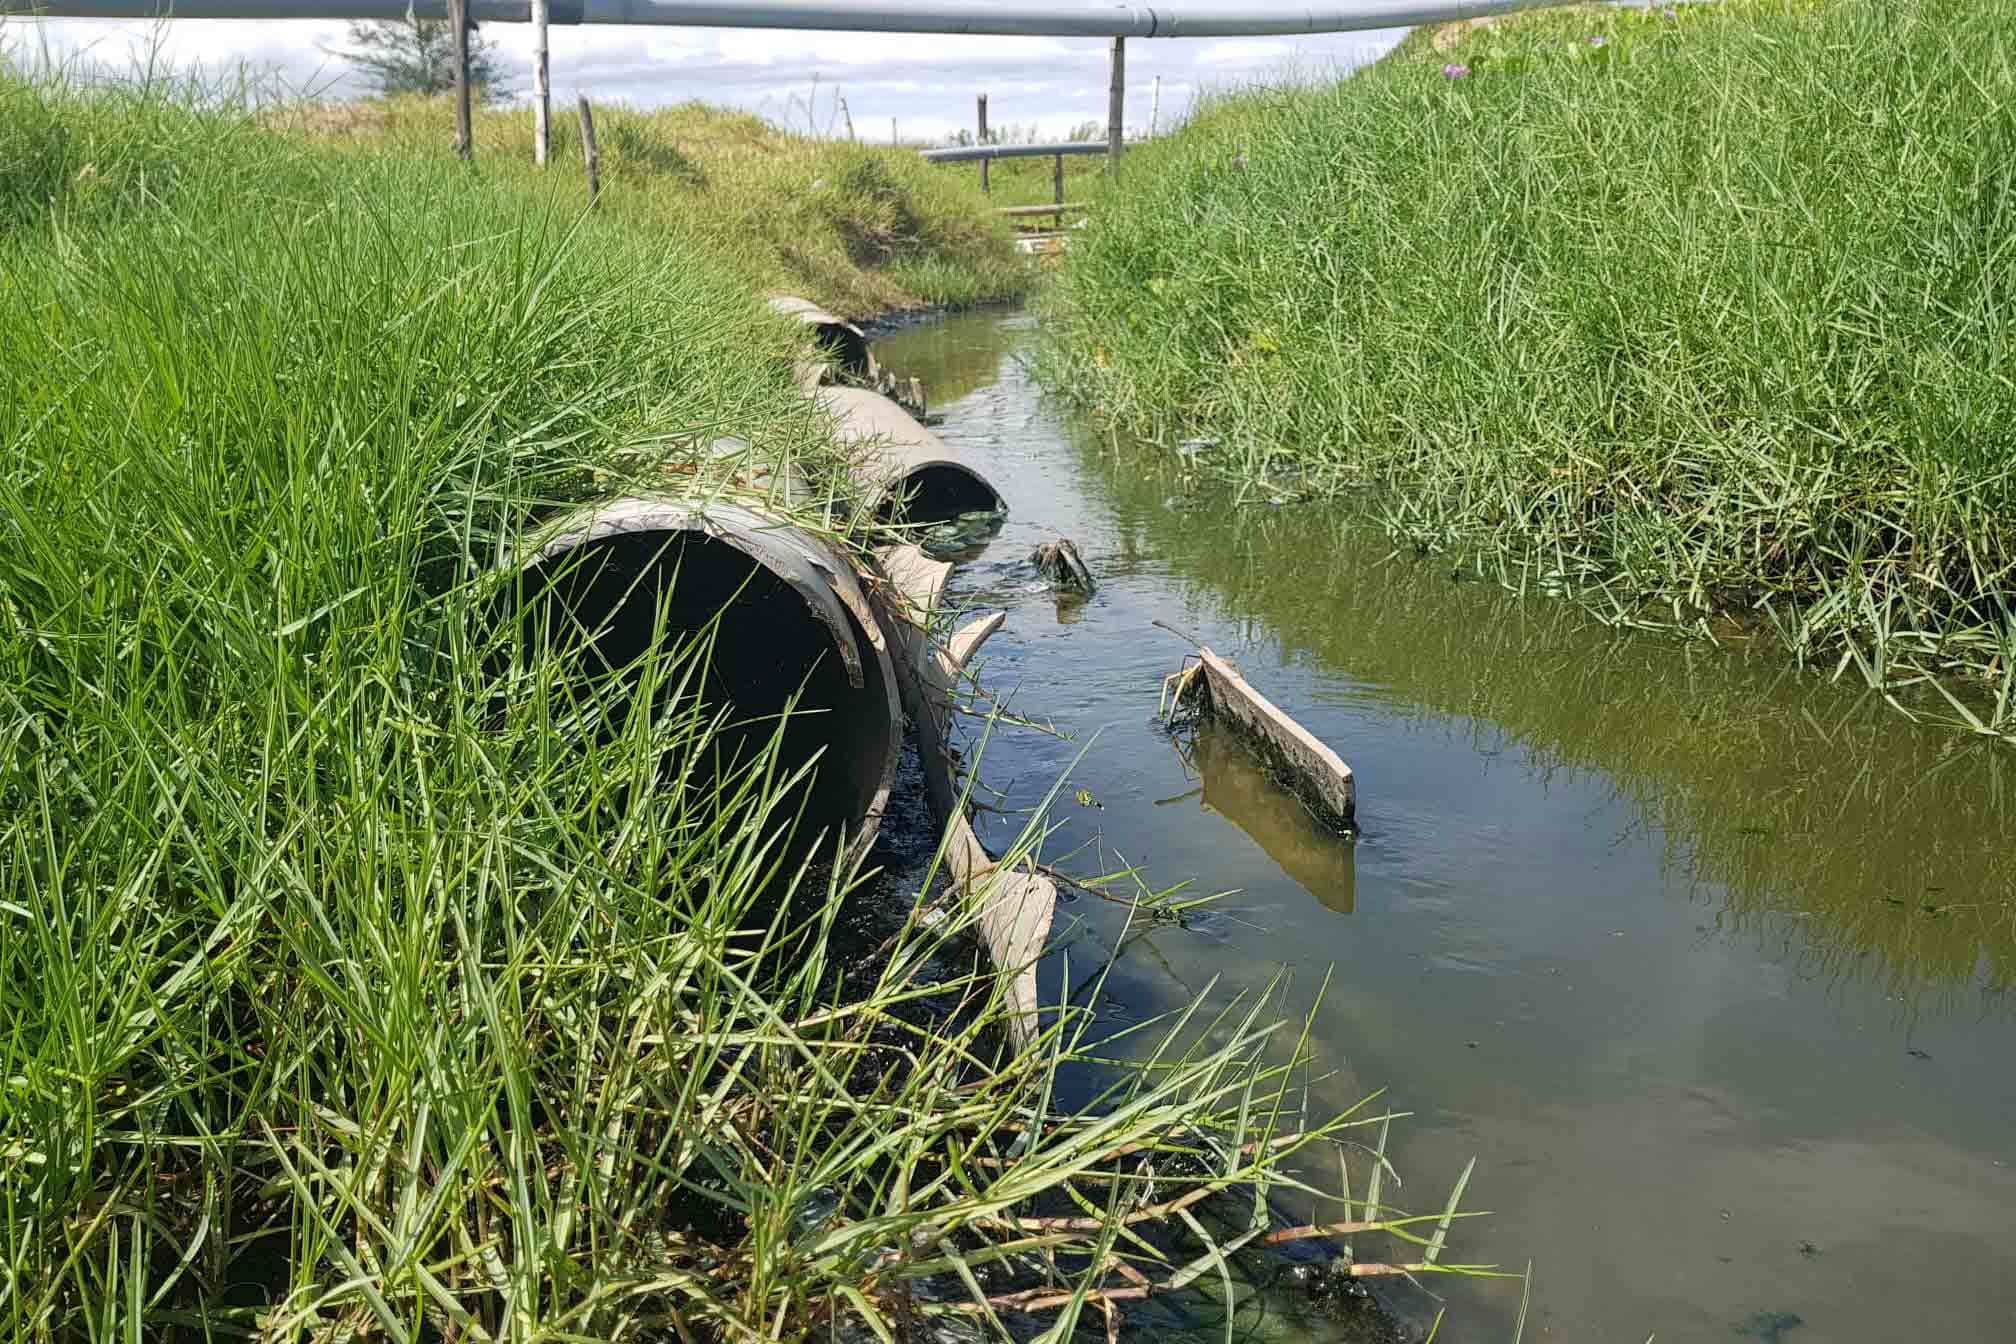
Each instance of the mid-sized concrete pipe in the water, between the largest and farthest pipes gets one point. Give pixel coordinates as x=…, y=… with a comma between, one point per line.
x=900, y=471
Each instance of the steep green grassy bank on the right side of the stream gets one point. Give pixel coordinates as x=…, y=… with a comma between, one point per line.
x=1703, y=317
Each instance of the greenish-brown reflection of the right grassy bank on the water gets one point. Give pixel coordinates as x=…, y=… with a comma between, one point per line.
x=1888, y=845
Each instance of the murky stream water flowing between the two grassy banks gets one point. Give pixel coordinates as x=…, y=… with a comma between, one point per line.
x=1707, y=962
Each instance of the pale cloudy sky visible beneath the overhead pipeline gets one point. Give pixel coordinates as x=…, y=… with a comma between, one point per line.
x=926, y=84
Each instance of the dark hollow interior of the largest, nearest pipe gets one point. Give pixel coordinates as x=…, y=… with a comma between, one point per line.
x=602, y=603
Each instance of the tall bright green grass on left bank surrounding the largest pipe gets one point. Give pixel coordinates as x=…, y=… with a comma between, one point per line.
x=356, y=976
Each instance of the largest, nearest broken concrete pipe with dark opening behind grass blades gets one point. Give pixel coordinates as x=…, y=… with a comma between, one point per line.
x=793, y=622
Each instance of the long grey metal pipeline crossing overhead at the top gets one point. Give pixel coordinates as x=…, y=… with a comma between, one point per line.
x=1055, y=19
